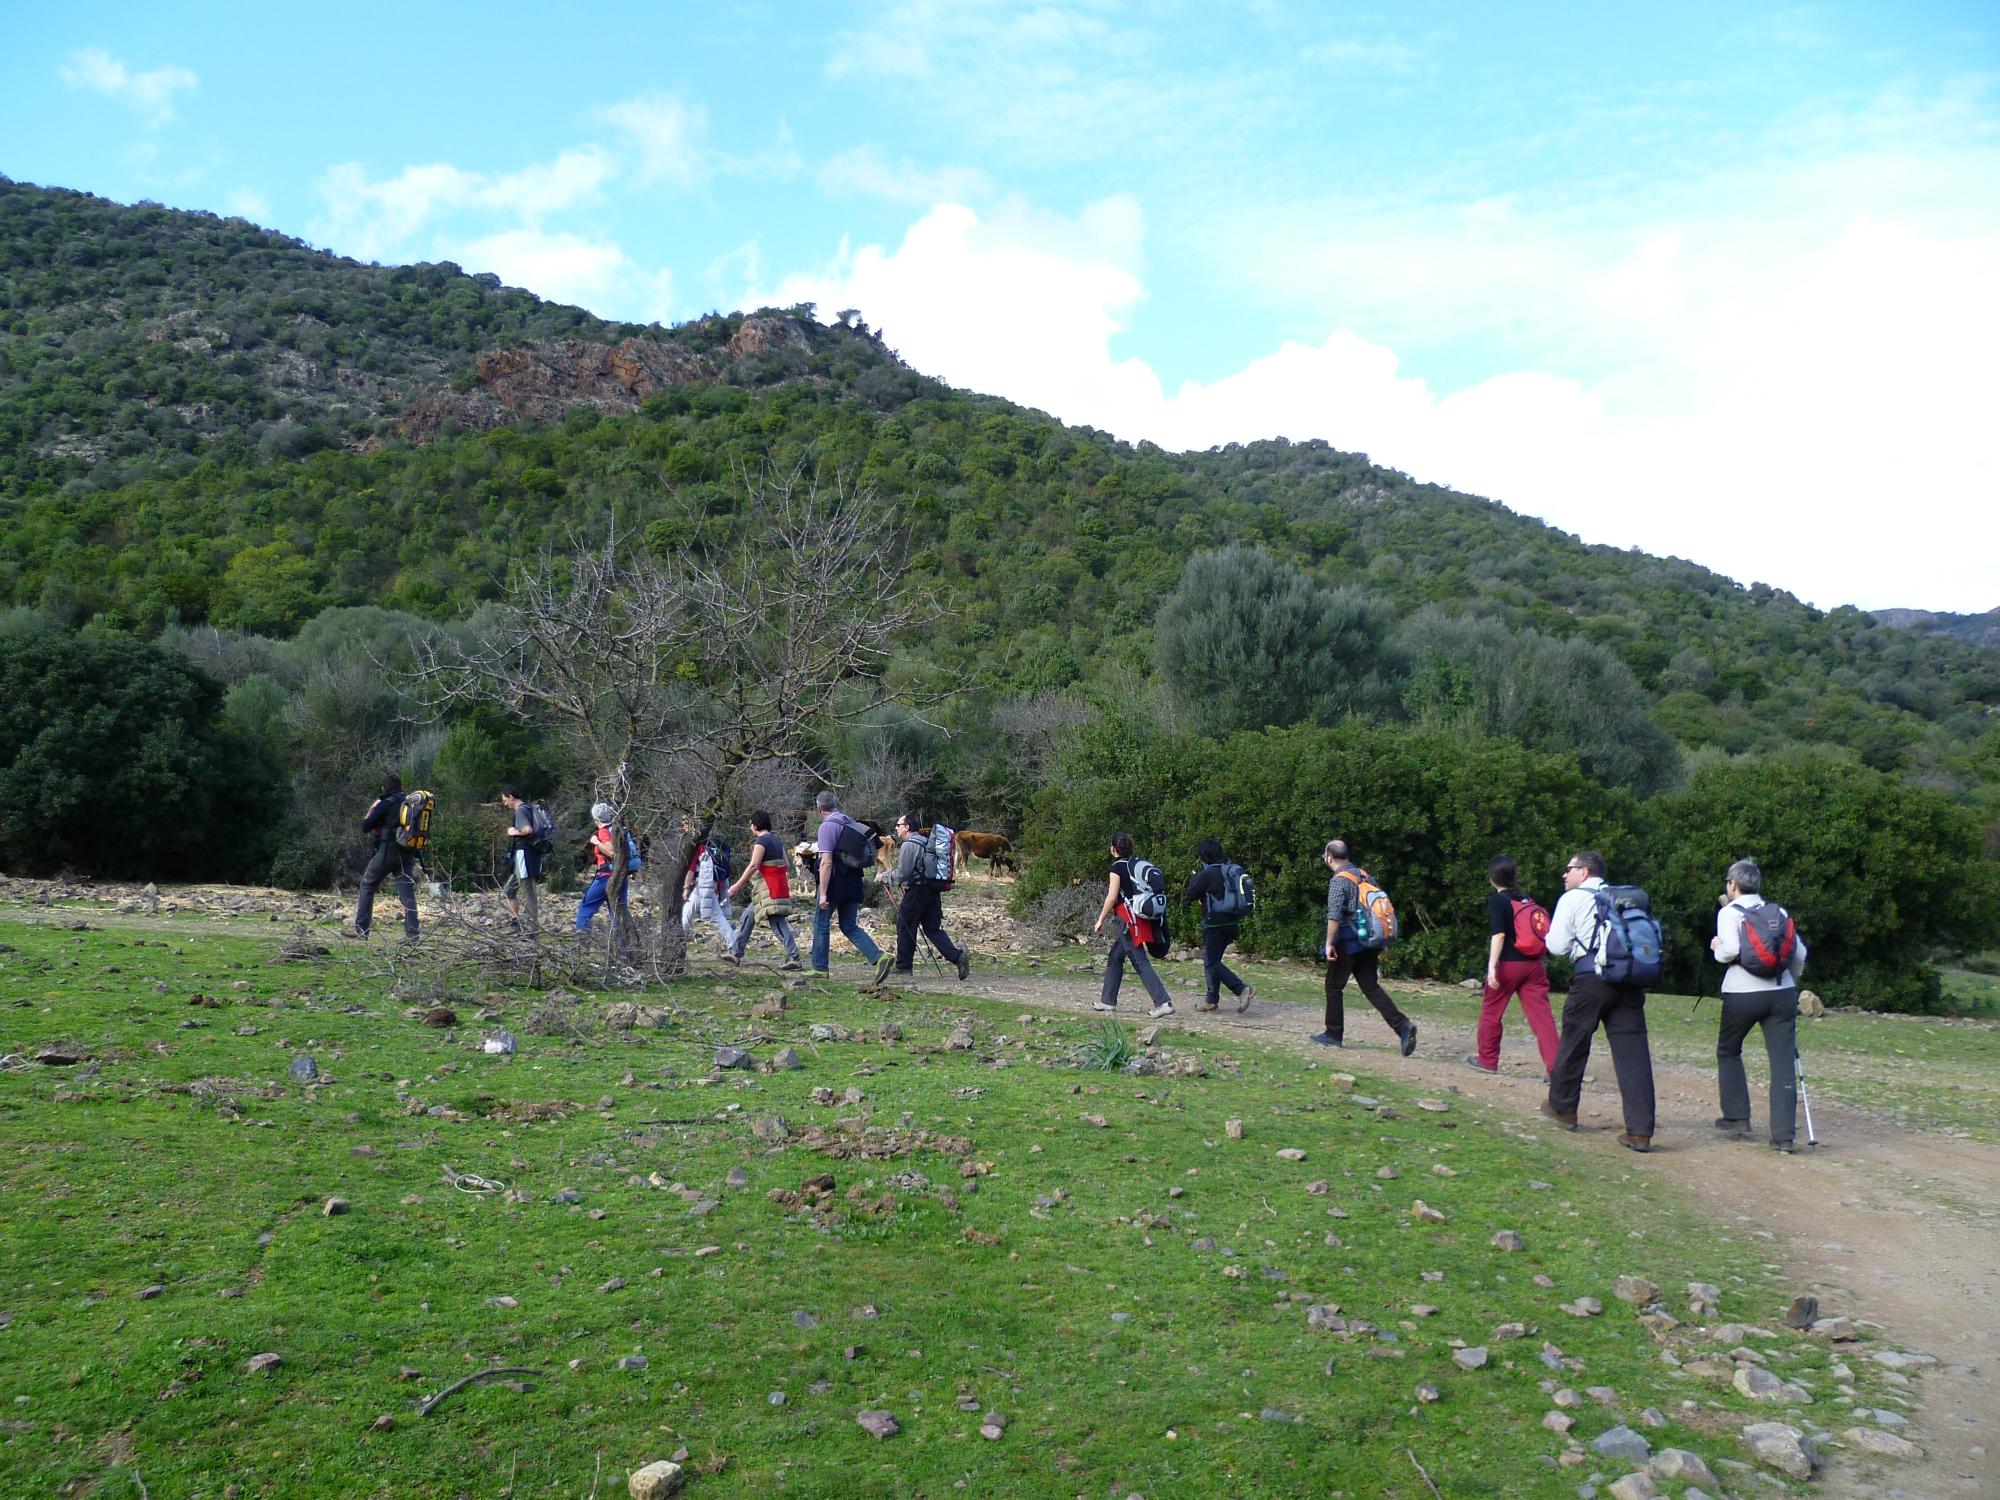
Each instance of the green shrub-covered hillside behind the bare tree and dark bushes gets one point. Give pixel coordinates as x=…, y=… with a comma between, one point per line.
x=279, y=463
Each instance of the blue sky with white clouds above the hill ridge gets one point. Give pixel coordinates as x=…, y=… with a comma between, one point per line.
x=1719, y=283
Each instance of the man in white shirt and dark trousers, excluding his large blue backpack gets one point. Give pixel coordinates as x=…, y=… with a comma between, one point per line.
x=1591, y=1003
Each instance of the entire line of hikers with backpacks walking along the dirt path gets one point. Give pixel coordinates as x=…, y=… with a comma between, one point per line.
x=1607, y=933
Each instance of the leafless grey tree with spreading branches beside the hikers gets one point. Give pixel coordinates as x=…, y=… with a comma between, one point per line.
x=685, y=679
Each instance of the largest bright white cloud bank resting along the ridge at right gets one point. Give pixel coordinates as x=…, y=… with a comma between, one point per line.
x=1825, y=429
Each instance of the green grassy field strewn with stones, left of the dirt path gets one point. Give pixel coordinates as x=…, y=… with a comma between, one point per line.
x=1089, y=1255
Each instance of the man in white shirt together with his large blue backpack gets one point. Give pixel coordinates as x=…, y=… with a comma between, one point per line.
x=1615, y=941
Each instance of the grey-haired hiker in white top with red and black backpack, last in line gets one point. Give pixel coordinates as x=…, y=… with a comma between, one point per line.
x=1765, y=957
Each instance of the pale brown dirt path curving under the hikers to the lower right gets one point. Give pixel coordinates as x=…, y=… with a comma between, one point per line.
x=1879, y=1221
